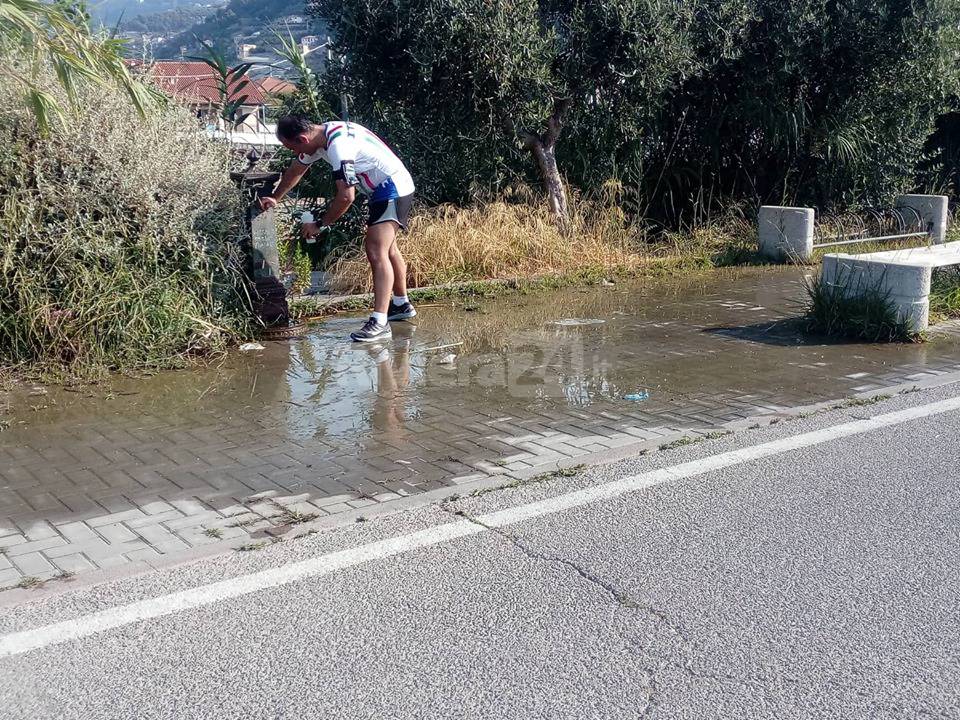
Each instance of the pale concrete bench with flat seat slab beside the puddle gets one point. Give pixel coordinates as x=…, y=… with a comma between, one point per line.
x=902, y=276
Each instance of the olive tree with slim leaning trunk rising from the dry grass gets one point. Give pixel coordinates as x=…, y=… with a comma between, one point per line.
x=465, y=87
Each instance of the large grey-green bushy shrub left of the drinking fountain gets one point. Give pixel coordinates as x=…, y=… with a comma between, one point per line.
x=118, y=238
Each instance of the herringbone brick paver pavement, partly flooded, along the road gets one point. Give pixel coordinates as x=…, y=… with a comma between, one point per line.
x=147, y=469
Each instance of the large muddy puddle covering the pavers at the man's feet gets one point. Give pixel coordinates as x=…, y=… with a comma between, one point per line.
x=720, y=333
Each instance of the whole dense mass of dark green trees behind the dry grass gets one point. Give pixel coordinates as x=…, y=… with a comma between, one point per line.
x=695, y=104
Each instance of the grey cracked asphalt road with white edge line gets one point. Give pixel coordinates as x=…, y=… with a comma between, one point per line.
x=821, y=581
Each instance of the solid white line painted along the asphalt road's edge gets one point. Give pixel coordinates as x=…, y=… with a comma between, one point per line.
x=84, y=626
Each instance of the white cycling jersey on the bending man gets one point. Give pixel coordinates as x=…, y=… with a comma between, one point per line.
x=362, y=159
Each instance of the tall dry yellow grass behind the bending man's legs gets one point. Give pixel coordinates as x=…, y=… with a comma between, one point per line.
x=508, y=239
